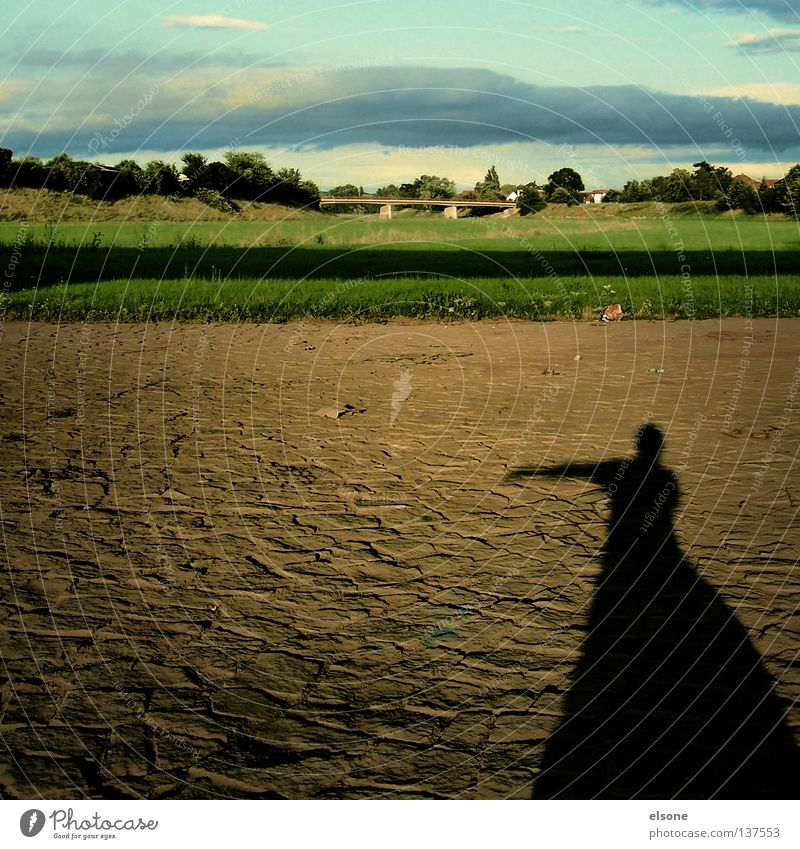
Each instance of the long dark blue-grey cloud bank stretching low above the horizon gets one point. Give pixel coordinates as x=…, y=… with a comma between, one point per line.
x=427, y=106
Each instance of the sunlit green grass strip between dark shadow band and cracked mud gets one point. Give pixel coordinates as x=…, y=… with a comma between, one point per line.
x=380, y=299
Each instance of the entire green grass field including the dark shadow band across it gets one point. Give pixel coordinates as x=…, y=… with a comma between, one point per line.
x=657, y=261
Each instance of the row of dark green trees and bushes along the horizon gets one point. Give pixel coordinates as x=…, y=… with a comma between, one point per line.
x=248, y=176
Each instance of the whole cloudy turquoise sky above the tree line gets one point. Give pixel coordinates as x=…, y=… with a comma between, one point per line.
x=377, y=91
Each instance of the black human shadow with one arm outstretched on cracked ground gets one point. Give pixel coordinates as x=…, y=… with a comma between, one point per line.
x=669, y=698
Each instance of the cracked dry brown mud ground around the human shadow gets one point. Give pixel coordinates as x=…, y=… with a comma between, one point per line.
x=286, y=560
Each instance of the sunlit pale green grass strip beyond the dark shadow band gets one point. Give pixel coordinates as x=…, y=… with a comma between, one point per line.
x=589, y=233
